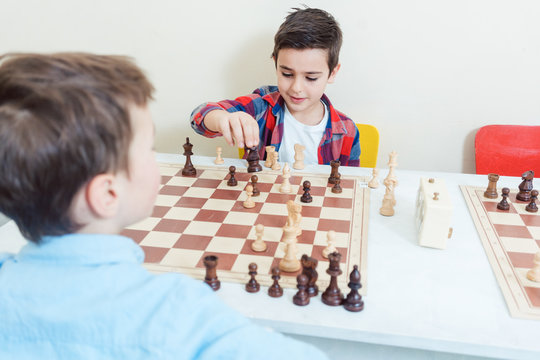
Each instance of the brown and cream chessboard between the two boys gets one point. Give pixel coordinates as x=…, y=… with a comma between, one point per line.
x=202, y=215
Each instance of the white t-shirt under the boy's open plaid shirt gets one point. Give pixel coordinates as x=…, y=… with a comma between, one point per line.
x=294, y=132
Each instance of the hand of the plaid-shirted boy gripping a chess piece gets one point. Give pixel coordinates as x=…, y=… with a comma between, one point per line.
x=236, y=127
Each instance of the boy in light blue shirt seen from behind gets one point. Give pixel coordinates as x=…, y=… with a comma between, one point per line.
x=77, y=165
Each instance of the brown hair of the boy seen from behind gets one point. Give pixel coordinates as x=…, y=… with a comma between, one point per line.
x=64, y=118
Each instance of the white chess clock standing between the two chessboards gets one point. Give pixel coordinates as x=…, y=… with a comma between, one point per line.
x=433, y=213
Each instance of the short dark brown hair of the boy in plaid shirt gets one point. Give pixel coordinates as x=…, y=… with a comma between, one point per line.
x=310, y=29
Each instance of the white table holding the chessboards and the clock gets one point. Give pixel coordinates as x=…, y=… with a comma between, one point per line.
x=422, y=303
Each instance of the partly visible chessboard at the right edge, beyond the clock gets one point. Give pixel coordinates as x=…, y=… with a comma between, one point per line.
x=510, y=238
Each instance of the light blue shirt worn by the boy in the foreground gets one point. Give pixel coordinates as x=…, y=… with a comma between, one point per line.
x=89, y=297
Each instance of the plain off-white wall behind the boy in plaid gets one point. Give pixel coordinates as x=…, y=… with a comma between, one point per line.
x=427, y=73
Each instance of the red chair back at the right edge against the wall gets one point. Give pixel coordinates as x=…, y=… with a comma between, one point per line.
x=507, y=149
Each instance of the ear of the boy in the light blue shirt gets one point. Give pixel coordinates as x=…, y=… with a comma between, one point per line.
x=102, y=195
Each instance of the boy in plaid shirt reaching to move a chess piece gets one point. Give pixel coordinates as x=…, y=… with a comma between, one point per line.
x=296, y=111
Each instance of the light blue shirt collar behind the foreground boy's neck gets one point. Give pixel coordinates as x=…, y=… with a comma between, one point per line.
x=83, y=249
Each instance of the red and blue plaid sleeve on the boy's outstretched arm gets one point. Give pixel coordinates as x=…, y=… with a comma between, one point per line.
x=251, y=104
